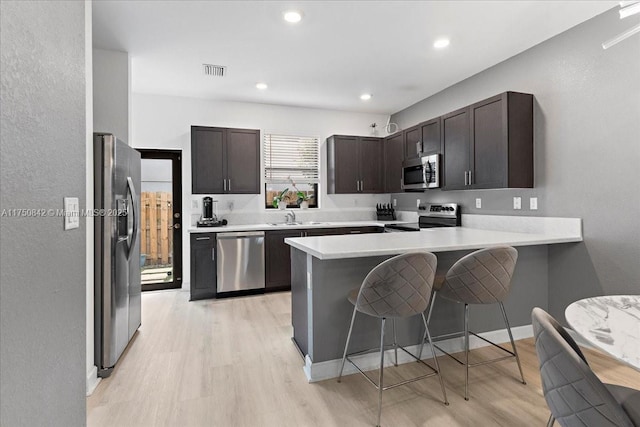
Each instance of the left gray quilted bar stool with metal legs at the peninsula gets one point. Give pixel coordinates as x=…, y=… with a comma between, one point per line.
x=396, y=288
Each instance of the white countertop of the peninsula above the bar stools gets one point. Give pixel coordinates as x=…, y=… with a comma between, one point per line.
x=432, y=240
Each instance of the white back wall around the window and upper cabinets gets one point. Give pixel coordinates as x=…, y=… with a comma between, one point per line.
x=165, y=122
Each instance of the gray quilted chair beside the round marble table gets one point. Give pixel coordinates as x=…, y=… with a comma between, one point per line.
x=574, y=394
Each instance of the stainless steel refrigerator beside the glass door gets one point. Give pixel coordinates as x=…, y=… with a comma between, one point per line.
x=117, y=249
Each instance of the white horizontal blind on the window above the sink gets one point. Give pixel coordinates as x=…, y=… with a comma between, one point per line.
x=287, y=156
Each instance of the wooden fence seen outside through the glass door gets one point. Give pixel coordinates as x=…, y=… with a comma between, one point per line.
x=156, y=239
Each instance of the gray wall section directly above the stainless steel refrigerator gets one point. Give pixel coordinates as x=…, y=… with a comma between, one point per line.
x=111, y=93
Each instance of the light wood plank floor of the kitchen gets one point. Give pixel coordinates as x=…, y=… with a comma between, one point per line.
x=231, y=362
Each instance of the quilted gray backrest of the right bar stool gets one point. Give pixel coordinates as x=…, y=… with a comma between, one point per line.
x=481, y=277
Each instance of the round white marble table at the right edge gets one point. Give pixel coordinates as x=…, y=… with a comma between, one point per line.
x=610, y=323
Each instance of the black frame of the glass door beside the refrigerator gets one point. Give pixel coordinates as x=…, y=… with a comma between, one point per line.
x=176, y=181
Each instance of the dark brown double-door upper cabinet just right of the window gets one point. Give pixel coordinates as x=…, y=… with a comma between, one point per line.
x=354, y=164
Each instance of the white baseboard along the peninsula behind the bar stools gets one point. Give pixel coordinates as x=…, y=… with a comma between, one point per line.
x=331, y=368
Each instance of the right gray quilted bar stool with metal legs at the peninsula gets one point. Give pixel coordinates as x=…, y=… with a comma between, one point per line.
x=481, y=277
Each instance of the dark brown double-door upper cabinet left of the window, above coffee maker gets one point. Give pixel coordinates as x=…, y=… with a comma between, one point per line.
x=225, y=160
